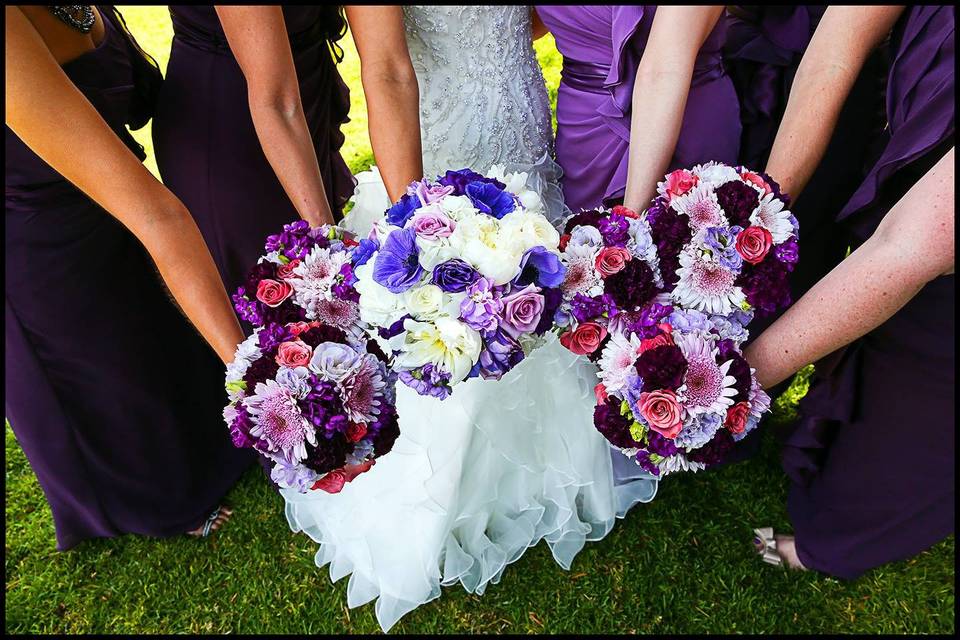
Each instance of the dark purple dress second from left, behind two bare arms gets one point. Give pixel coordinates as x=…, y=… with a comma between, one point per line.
x=207, y=148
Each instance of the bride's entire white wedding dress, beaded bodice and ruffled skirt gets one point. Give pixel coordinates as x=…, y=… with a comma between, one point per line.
x=476, y=479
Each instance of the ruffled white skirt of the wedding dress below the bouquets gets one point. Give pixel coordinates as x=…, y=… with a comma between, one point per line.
x=472, y=482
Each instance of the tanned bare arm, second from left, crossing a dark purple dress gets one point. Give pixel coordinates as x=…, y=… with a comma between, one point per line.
x=258, y=38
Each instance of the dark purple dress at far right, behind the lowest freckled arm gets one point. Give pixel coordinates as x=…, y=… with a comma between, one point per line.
x=872, y=460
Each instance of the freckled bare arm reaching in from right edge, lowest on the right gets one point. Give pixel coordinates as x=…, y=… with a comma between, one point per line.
x=913, y=245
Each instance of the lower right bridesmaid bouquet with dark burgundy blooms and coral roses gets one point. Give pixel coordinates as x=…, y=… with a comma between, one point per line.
x=675, y=392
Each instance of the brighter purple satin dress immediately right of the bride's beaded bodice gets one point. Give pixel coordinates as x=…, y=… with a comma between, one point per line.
x=601, y=48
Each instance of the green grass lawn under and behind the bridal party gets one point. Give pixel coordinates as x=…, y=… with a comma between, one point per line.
x=682, y=564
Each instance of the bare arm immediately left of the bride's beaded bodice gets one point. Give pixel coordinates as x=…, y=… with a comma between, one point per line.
x=392, y=94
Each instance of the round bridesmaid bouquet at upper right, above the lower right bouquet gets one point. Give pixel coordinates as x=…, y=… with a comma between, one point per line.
x=725, y=239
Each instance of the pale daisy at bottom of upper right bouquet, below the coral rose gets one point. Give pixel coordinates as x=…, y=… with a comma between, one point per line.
x=706, y=285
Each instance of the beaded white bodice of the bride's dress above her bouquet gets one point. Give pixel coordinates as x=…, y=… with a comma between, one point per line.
x=482, y=95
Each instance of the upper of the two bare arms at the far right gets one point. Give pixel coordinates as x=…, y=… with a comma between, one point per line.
x=837, y=52
